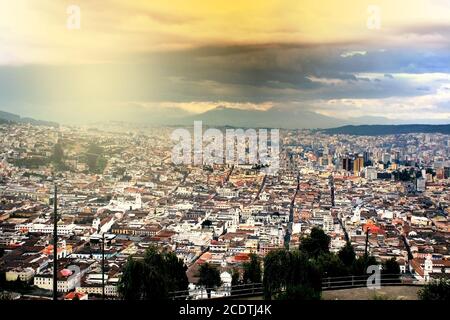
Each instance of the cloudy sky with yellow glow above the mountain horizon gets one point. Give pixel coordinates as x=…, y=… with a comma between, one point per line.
x=87, y=60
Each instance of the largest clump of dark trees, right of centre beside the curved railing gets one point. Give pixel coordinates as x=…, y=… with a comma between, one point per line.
x=298, y=274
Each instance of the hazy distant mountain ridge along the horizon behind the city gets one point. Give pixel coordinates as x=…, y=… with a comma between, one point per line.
x=274, y=117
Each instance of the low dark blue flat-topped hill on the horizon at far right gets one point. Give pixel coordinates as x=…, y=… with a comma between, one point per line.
x=374, y=130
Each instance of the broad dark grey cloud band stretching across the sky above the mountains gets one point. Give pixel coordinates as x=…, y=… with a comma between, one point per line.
x=231, y=73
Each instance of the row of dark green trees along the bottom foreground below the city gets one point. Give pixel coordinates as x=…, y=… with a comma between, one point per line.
x=287, y=274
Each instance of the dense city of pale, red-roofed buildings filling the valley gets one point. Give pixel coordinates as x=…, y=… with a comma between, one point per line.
x=119, y=194
